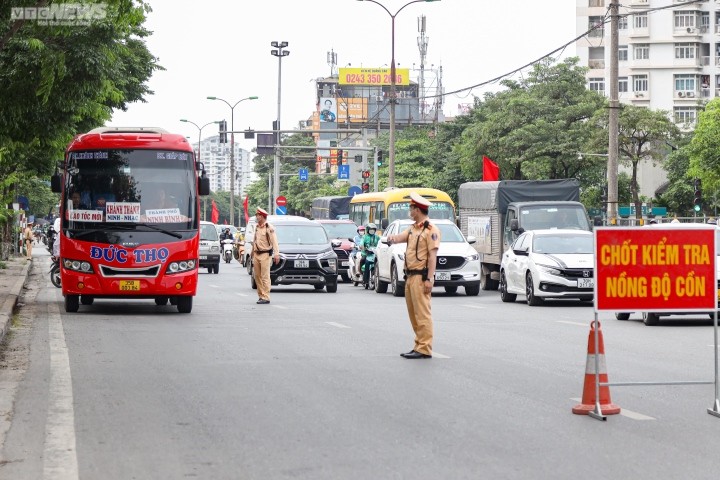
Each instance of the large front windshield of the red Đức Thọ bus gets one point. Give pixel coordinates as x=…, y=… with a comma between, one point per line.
x=121, y=189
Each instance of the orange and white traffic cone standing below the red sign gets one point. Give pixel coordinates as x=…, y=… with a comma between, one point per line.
x=589, y=400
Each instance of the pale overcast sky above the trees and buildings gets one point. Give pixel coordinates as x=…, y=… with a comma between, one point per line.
x=222, y=48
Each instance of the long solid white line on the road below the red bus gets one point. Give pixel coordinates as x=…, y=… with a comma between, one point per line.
x=60, y=450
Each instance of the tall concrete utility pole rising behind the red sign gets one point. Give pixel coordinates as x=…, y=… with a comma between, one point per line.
x=613, y=120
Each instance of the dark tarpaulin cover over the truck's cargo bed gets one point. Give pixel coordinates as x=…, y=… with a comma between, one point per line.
x=497, y=195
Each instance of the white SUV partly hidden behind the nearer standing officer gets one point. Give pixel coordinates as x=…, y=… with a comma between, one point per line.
x=457, y=265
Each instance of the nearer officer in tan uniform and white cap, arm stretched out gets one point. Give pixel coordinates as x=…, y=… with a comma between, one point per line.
x=423, y=241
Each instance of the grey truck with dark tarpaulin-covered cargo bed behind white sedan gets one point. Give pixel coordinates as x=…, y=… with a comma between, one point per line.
x=495, y=213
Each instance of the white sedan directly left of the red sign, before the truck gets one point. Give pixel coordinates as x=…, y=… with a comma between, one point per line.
x=544, y=264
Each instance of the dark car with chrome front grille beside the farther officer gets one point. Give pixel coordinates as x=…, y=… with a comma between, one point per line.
x=306, y=256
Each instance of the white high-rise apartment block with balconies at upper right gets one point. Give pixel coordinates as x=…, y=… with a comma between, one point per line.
x=668, y=59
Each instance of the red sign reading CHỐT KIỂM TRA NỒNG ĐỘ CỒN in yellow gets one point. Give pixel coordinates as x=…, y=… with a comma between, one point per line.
x=661, y=269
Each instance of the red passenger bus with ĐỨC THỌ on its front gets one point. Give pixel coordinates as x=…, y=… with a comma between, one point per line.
x=130, y=217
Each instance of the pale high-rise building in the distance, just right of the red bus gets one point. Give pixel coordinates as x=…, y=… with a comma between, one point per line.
x=216, y=158
